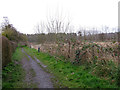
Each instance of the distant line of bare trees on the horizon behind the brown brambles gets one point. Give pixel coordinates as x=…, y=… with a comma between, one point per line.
x=63, y=37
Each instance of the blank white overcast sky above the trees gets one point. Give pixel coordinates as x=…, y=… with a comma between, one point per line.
x=26, y=14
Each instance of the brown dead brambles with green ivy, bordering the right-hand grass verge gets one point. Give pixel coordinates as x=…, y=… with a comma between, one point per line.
x=101, y=57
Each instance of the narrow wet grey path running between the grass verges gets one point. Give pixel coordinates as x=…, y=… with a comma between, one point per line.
x=34, y=73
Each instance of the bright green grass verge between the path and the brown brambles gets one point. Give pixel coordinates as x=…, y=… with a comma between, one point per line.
x=68, y=75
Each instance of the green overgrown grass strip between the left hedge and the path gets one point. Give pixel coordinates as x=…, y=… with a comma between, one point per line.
x=13, y=74
